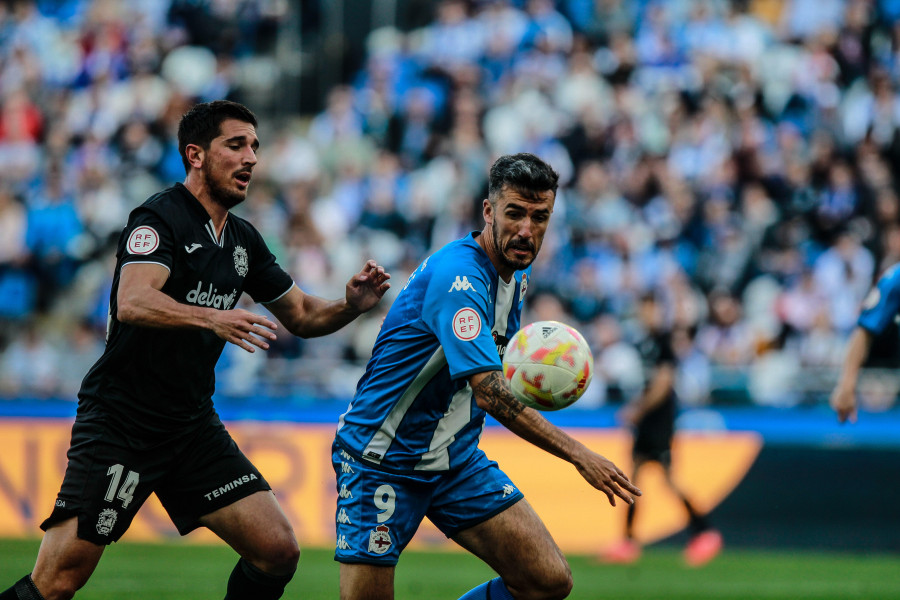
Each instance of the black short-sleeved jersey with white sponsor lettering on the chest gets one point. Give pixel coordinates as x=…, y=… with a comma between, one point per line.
x=154, y=381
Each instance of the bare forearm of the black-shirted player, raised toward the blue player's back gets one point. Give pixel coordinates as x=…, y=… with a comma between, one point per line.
x=308, y=316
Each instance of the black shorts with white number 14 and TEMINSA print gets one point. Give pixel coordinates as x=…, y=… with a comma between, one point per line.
x=108, y=479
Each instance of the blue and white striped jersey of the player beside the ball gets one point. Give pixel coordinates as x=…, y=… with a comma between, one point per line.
x=413, y=409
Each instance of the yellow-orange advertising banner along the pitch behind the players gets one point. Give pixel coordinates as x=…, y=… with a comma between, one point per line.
x=296, y=460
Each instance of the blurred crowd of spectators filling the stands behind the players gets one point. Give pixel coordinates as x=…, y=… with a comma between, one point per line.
x=736, y=158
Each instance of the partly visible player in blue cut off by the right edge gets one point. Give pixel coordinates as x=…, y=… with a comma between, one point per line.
x=880, y=308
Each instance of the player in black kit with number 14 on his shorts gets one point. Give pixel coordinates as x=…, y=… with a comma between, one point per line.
x=145, y=422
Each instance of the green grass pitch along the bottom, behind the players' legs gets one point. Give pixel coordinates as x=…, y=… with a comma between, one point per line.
x=179, y=571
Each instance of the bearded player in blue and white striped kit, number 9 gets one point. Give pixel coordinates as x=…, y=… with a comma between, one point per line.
x=407, y=447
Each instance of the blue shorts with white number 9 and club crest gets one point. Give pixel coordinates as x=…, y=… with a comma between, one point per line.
x=378, y=512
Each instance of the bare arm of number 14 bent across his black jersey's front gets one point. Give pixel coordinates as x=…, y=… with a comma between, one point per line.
x=140, y=302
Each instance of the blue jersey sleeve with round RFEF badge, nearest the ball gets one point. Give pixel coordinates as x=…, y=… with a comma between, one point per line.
x=456, y=310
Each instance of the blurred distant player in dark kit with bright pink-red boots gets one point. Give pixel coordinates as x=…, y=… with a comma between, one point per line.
x=652, y=417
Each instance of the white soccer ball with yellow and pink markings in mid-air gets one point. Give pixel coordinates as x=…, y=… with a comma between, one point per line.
x=548, y=365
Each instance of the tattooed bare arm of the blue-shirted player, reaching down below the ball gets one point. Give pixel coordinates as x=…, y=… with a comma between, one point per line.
x=492, y=393
